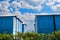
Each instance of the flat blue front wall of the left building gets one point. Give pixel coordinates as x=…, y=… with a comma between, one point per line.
x=6, y=25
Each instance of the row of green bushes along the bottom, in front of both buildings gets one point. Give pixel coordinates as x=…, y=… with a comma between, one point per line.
x=31, y=36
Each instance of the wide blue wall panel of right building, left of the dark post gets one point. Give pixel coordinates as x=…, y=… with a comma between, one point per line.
x=45, y=24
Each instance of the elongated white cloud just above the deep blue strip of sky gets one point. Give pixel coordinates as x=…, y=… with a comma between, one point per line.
x=28, y=6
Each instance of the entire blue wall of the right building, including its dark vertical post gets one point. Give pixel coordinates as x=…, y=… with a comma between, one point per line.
x=47, y=23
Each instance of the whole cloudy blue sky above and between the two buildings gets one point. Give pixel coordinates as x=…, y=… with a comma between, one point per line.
x=28, y=8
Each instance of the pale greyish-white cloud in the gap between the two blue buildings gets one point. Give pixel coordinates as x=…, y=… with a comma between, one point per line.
x=28, y=18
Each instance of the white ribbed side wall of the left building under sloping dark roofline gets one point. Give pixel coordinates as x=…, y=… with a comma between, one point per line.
x=17, y=26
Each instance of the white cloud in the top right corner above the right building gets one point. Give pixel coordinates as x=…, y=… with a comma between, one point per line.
x=52, y=4
